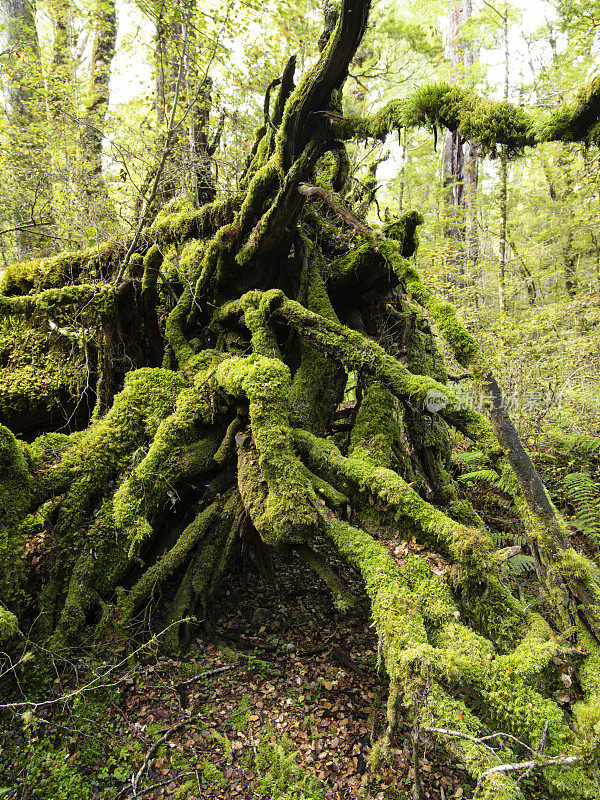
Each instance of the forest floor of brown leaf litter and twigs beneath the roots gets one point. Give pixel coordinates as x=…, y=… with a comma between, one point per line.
x=288, y=708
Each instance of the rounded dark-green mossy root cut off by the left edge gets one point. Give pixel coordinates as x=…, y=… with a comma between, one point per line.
x=15, y=496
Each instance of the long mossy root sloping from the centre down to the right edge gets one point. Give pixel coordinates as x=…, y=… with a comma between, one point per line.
x=572, y=592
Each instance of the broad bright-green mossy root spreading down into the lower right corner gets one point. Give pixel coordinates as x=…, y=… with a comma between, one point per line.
x=423, y=645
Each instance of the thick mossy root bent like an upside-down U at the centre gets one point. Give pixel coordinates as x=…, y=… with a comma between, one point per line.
x=288, y=513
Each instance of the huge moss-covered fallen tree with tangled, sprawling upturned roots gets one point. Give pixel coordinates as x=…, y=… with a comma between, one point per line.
x=215, y=349
